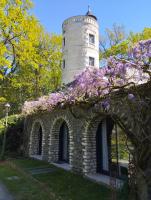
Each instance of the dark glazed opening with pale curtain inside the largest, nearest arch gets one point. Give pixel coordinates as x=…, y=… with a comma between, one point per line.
x=112, y=156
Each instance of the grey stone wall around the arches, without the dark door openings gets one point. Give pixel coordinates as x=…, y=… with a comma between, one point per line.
x=82, y=137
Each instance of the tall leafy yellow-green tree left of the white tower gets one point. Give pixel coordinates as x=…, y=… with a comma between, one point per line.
x=30, y=58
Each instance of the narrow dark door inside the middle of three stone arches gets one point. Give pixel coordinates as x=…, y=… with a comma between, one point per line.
x=64, y=143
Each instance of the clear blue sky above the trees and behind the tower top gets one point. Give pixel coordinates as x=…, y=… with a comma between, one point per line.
x=133, y=14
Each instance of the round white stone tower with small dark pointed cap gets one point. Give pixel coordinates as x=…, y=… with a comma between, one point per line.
x=80, y=45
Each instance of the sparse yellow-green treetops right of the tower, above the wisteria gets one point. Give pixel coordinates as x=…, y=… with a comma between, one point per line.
x=117, y=44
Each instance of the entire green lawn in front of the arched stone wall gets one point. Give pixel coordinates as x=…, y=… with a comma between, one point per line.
x=58, y=184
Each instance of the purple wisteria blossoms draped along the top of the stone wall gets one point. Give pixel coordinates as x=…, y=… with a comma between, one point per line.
x=94, y=82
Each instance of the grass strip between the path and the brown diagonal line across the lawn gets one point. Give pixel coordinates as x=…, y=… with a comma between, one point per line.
x=25, y=188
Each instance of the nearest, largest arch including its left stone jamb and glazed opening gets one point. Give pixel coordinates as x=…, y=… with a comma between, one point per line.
x=102, y=148
